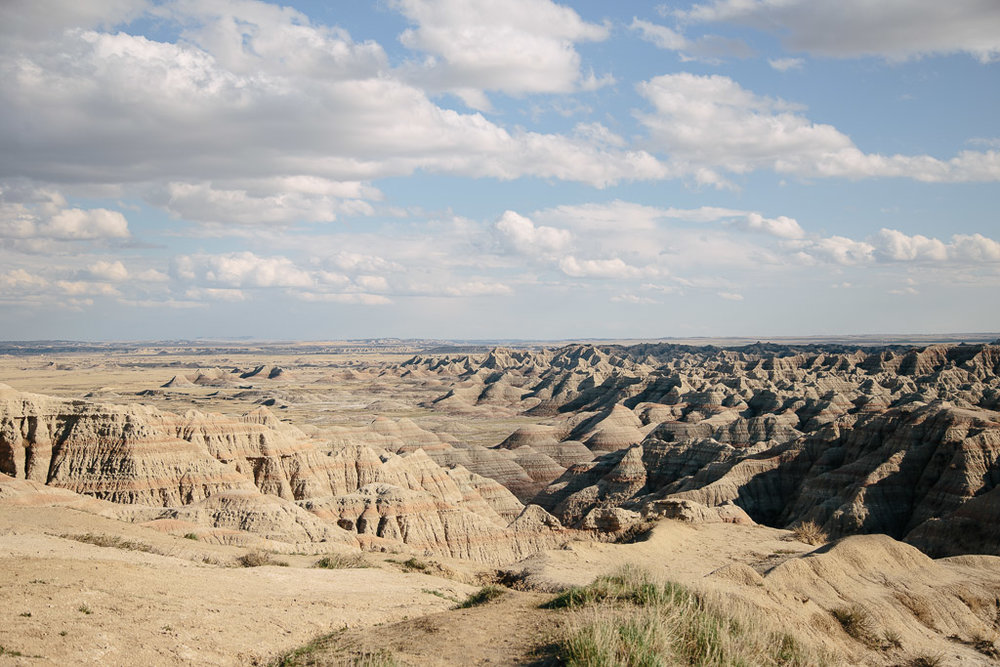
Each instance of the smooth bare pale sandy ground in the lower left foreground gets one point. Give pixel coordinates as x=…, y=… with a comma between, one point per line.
x=66, y=602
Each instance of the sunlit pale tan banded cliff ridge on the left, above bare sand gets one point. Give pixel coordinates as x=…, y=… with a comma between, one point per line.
x=258, y=474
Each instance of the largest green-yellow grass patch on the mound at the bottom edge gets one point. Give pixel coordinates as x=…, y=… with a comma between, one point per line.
x=631, y=619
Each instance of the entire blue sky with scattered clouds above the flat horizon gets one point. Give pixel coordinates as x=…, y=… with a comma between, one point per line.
x=498, y=169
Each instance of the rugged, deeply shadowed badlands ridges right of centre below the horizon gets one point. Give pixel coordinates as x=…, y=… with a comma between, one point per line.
x=884, y=440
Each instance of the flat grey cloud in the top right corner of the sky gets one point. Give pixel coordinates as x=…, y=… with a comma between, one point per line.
x=895, y=29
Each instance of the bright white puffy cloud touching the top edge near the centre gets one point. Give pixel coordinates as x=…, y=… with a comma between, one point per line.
x=514, y=46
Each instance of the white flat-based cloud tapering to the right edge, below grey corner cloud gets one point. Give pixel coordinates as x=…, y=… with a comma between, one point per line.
x=711, y=122
